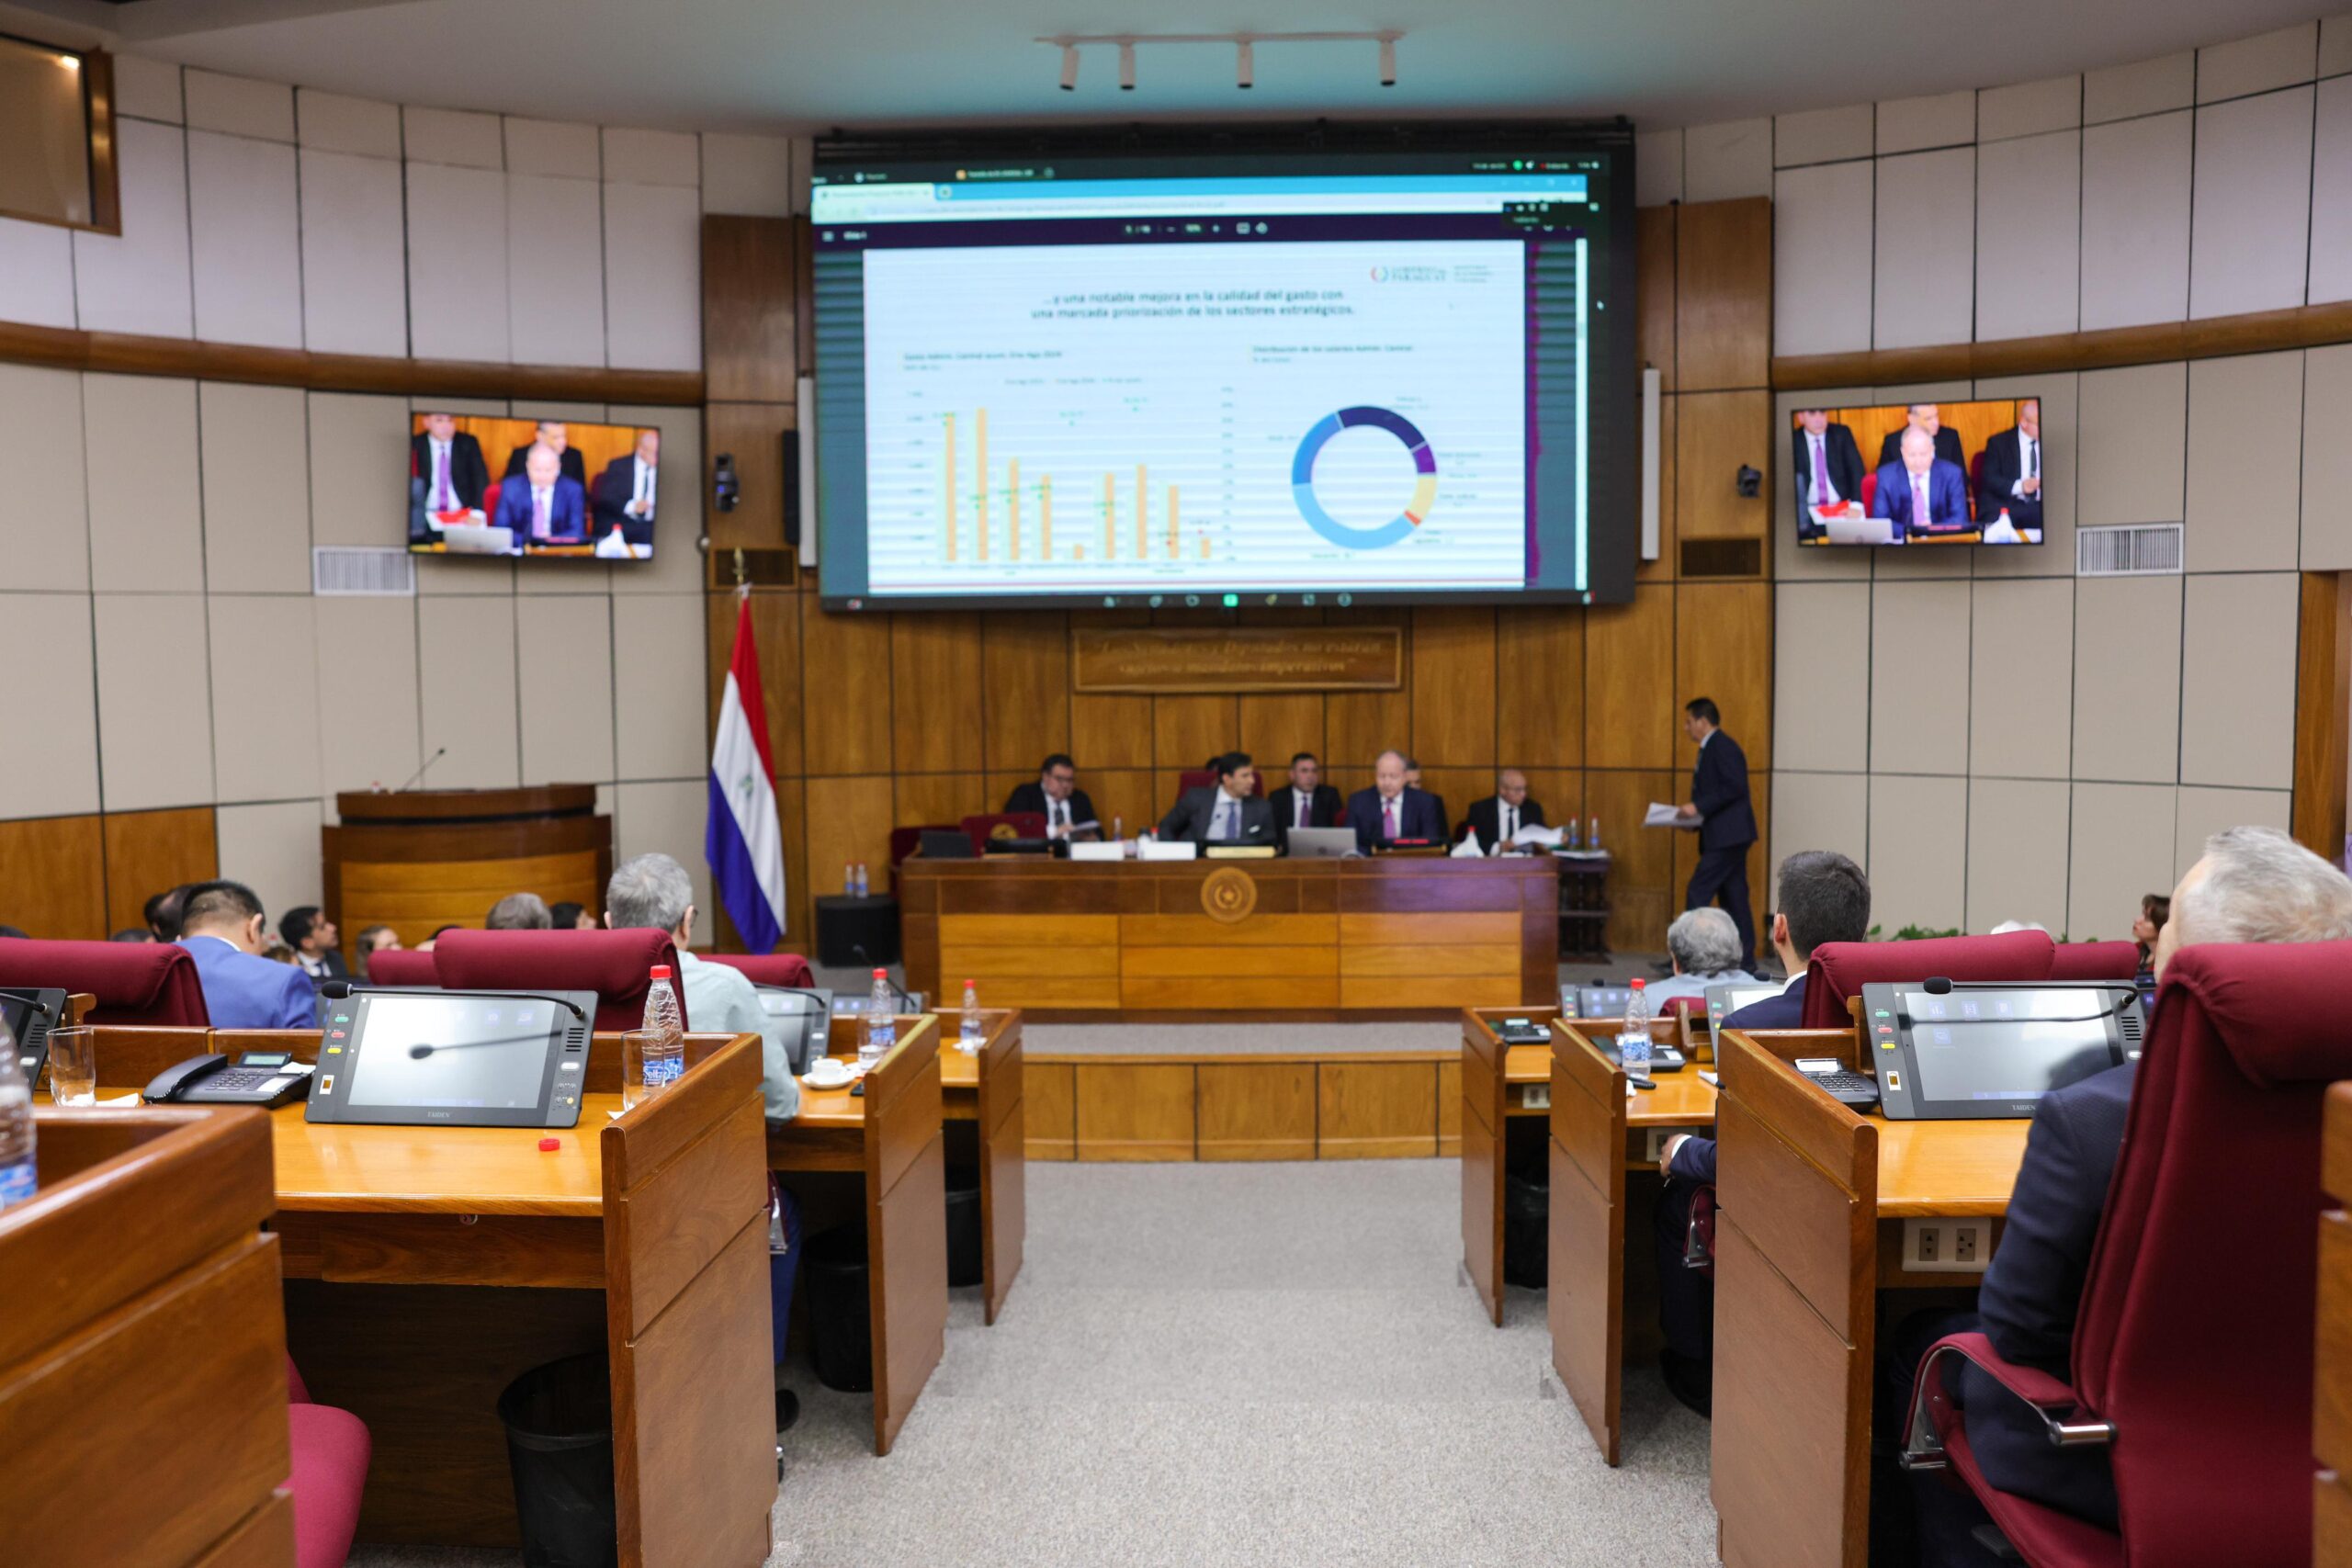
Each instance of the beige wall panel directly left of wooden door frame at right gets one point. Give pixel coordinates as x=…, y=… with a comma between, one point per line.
x=2238, y=681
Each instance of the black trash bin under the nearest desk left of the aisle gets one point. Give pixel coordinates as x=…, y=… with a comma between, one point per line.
x=559, y=1442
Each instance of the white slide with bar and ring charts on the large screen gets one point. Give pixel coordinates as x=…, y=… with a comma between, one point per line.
x=1281, y=417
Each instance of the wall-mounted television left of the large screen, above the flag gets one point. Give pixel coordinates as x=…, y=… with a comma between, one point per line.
x=540, y=488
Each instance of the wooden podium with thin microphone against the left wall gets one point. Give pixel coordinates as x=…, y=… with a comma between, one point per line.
x=429, y=859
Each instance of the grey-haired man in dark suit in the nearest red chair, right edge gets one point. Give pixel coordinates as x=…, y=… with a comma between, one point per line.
x=2254, y=885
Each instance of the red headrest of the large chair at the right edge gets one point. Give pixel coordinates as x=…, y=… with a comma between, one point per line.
x=2278, y=1007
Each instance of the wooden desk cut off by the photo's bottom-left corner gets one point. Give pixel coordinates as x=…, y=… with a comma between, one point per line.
x=142, y=1247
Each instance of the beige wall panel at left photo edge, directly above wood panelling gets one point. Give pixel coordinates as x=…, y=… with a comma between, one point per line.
x=51, y=634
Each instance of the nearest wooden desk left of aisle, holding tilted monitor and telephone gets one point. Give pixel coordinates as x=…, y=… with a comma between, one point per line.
x=427, y=1268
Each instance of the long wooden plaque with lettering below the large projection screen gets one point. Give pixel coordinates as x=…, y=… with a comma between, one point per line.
x=1238, y=659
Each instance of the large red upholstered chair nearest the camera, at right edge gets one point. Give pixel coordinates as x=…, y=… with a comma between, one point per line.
x=2210, y=1214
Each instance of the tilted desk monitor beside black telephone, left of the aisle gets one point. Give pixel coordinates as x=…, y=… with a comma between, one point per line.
x=455, y=1059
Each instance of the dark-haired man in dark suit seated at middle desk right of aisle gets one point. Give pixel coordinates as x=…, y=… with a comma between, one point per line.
x=1824, y=899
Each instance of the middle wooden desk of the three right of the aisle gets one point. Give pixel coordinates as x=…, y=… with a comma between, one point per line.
x=1603, y=1134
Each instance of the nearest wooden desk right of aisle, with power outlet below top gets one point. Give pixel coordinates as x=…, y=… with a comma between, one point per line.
x=1810, y=1233
